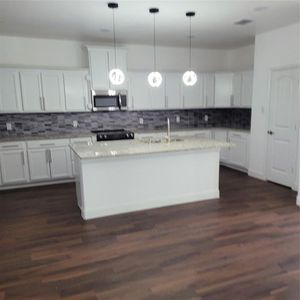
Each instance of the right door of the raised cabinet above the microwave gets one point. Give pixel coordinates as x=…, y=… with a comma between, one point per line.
x=121, y=64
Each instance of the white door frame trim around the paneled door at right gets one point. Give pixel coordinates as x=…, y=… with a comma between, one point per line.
x=268, y=122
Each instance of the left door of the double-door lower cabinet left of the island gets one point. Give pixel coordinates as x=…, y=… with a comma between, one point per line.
x=39, y=168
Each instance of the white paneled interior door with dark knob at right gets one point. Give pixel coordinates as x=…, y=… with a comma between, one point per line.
x=283, y=126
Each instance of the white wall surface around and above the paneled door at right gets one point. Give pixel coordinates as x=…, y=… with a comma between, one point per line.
x=274, y=49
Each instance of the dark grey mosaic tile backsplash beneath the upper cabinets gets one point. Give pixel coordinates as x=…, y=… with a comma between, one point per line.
x=38, y=124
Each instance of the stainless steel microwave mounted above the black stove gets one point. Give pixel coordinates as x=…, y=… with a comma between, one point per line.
x=109, y=100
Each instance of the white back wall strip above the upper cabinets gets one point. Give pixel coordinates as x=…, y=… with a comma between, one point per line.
x=71, y=54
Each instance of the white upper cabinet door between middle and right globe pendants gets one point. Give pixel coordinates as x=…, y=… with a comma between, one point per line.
x=173, y=90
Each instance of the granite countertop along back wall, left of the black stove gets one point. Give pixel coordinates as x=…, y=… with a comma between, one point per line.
x=50, y=136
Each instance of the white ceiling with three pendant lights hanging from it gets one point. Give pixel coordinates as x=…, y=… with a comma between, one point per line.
x=91, y=21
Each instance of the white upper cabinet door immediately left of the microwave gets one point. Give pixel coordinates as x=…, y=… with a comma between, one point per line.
x=76, y=90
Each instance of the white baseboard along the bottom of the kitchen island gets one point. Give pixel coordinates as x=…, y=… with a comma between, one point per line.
x=101, y=211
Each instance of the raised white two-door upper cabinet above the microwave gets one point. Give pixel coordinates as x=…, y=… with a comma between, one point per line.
x=101, y=60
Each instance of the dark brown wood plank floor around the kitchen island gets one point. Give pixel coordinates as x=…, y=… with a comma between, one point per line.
x=245, y=245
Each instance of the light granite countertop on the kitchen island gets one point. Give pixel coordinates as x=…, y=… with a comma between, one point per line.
x=144, y=146
